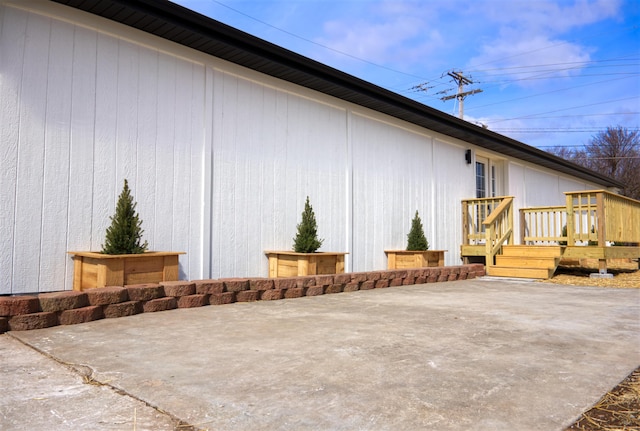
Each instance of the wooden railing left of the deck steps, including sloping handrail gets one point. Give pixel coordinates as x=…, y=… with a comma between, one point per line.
x=488, y=221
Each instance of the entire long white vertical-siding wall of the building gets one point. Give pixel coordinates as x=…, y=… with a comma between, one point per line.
x=220, y=158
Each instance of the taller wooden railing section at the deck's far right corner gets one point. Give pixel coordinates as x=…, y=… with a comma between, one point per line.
x=602, y=216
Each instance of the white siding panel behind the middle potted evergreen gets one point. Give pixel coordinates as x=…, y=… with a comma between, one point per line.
x=272, y=148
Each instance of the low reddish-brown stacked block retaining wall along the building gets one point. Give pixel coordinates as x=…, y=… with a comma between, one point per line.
x=25, y=312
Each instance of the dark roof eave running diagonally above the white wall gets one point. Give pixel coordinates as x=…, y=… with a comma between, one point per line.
x=186, y=27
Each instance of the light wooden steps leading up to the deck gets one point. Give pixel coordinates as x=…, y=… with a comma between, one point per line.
x=520, y=261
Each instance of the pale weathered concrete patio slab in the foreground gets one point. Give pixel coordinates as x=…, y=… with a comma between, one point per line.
x=467, y=355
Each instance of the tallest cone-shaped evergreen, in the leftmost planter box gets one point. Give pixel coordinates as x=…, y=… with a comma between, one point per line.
x=124, y=236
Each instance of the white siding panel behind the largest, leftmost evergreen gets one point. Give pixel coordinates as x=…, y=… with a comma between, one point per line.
x=82, y=110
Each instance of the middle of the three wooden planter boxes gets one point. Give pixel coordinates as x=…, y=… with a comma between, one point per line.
x=292, y=264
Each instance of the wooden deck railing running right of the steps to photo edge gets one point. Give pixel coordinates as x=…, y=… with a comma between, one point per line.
x=589, y=218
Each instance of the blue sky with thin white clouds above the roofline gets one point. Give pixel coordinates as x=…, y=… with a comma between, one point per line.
x=552, y=72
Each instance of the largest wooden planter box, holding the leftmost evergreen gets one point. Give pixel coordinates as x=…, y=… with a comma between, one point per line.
x=92, y=269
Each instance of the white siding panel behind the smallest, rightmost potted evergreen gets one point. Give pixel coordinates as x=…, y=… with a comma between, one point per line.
x=391, y=180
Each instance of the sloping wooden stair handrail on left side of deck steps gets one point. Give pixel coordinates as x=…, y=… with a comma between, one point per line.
x=498, y=229
